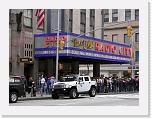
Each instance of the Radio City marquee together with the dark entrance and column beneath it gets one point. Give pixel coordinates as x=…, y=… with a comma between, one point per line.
x=75, y=49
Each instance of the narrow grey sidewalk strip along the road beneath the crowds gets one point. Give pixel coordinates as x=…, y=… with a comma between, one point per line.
x=47, y=96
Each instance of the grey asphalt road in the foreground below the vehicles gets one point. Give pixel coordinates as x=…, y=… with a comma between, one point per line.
x=99, y=100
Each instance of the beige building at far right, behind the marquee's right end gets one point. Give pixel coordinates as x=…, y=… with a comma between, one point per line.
x=115, y=23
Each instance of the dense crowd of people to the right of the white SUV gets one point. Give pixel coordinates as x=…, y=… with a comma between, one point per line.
x=115, y=84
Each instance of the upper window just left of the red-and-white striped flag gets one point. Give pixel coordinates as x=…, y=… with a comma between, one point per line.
x=28, y=18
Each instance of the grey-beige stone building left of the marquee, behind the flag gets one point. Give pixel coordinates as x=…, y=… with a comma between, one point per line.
x=22, y=26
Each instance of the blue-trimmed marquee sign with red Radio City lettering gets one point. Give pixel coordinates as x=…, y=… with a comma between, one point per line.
x=71, y=44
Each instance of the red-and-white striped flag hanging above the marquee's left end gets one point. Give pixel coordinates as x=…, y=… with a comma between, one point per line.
x=40, y=17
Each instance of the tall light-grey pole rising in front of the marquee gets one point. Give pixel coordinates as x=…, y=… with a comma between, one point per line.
x=57, y=47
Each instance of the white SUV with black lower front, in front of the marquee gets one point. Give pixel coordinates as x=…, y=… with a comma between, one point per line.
x=73, y=85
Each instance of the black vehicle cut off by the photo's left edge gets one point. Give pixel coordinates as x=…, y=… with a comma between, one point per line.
x=16, y=88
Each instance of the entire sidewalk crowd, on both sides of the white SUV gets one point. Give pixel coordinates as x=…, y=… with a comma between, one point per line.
x=104, y=84
